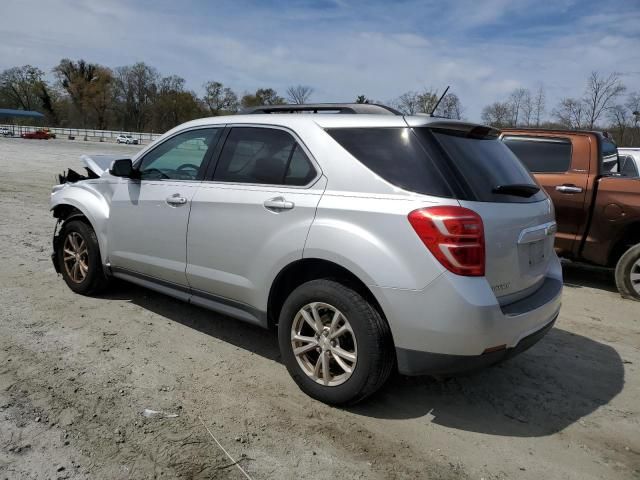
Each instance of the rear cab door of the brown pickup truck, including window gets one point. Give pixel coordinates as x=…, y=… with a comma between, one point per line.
x=561, y=166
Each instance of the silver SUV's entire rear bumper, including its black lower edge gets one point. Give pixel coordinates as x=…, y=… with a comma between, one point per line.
x=457, y=316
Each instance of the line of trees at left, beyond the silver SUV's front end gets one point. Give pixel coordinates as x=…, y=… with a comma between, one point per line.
x=128, y=98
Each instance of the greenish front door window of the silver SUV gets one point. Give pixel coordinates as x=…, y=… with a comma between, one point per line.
x=180, y=157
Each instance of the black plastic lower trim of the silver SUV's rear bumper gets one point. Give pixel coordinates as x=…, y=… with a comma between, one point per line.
x=413, y=362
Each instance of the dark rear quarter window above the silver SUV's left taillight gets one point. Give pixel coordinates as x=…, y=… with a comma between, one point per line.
x=396, y=155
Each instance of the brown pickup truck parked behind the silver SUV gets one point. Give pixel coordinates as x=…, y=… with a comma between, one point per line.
x=597, y=209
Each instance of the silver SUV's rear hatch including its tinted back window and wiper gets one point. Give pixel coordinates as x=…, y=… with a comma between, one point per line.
x=517, y=215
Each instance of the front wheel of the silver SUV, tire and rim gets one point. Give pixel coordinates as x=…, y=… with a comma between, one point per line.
x=85, y=281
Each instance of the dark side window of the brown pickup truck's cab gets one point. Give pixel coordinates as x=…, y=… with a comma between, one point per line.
x=541, y=155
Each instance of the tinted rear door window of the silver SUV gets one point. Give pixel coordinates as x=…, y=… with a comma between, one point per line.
x=264, y=156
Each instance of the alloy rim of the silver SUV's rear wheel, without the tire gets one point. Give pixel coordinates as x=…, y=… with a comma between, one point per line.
x=324, y=344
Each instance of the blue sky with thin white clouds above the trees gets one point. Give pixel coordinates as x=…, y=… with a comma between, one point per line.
x=483, y=49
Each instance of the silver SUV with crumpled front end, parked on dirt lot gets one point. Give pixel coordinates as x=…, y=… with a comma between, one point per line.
x=373, y=241
